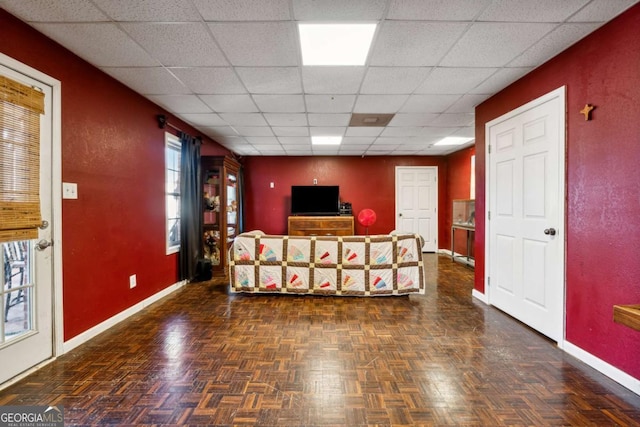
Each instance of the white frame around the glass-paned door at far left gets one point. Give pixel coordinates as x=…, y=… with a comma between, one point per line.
x=56, y=199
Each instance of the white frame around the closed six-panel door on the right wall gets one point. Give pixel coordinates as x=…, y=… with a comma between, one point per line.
x=557, y=93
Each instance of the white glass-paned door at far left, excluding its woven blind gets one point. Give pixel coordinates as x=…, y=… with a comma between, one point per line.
x=26, y=330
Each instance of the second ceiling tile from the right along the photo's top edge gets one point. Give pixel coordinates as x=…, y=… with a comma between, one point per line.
x=529, y=11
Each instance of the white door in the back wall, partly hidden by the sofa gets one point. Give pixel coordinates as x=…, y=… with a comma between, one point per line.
x=417, y=203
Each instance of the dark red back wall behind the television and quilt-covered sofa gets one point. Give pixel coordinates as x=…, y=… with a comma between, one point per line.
x=366, y=182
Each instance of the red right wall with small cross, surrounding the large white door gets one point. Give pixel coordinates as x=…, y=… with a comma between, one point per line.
x=603, y=182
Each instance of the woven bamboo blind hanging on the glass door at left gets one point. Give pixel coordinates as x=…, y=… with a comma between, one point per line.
x=20, y=109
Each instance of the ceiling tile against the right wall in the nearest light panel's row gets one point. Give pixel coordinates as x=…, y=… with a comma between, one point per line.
x=552, y=44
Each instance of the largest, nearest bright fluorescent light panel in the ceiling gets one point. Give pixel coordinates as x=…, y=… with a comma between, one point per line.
x=335, y=44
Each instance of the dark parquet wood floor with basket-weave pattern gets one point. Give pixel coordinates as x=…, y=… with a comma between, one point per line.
x=203, y=357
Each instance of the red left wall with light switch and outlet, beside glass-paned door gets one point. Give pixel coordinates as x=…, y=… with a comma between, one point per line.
x=113, y=149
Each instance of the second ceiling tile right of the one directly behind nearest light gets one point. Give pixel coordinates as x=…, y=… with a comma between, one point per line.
x=454, y=80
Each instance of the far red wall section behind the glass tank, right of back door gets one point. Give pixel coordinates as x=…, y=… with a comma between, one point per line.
x=458, y=187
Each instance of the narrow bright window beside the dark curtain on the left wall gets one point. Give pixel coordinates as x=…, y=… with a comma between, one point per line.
x=172, y=191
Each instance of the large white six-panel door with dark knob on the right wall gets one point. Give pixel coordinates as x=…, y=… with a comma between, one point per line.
x=525, y=219
